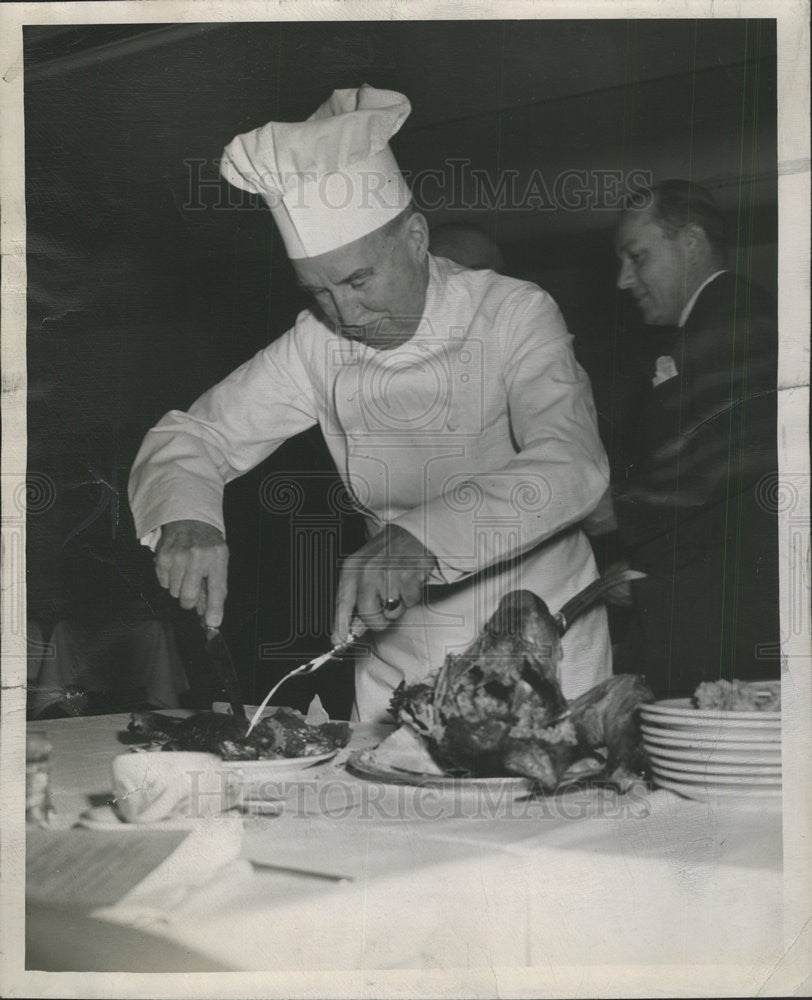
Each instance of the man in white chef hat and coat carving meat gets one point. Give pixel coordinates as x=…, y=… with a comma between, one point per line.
x=450, y=400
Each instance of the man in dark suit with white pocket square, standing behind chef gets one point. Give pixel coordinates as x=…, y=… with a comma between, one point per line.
x=693, y=509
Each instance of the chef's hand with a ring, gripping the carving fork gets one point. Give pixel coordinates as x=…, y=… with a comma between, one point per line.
x=392, y=567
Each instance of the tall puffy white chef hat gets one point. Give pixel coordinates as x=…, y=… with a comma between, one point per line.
x=331, y=179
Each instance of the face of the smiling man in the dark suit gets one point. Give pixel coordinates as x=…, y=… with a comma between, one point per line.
x=655, y=267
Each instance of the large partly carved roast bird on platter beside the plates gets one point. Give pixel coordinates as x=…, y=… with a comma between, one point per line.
x=498, y=708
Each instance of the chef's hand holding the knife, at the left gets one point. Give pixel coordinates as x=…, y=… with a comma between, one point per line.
x=191, y=561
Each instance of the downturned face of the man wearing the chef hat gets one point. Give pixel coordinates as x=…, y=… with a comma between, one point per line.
x=374, y=289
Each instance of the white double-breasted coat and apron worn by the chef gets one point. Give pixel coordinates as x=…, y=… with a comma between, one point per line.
x=478, y=436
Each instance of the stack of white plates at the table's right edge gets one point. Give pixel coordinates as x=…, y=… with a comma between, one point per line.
x=712, y=752
